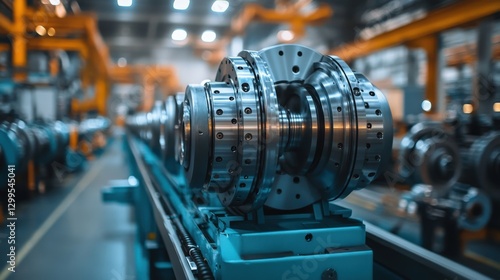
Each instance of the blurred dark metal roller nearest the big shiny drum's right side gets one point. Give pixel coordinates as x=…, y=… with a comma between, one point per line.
x=429, y=155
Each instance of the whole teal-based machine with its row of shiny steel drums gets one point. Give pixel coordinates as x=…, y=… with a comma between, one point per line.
x=264, y=153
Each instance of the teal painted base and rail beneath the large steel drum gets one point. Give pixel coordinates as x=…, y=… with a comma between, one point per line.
x=318, y=242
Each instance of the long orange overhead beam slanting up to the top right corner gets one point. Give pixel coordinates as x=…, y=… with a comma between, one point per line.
x=434, y=22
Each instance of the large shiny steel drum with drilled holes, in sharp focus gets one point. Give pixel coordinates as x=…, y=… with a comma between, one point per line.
x=285, y=127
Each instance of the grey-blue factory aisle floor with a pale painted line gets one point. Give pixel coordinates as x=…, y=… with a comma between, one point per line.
x=69, y=233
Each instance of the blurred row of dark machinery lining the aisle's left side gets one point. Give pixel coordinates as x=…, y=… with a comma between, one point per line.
x=41, y=150
